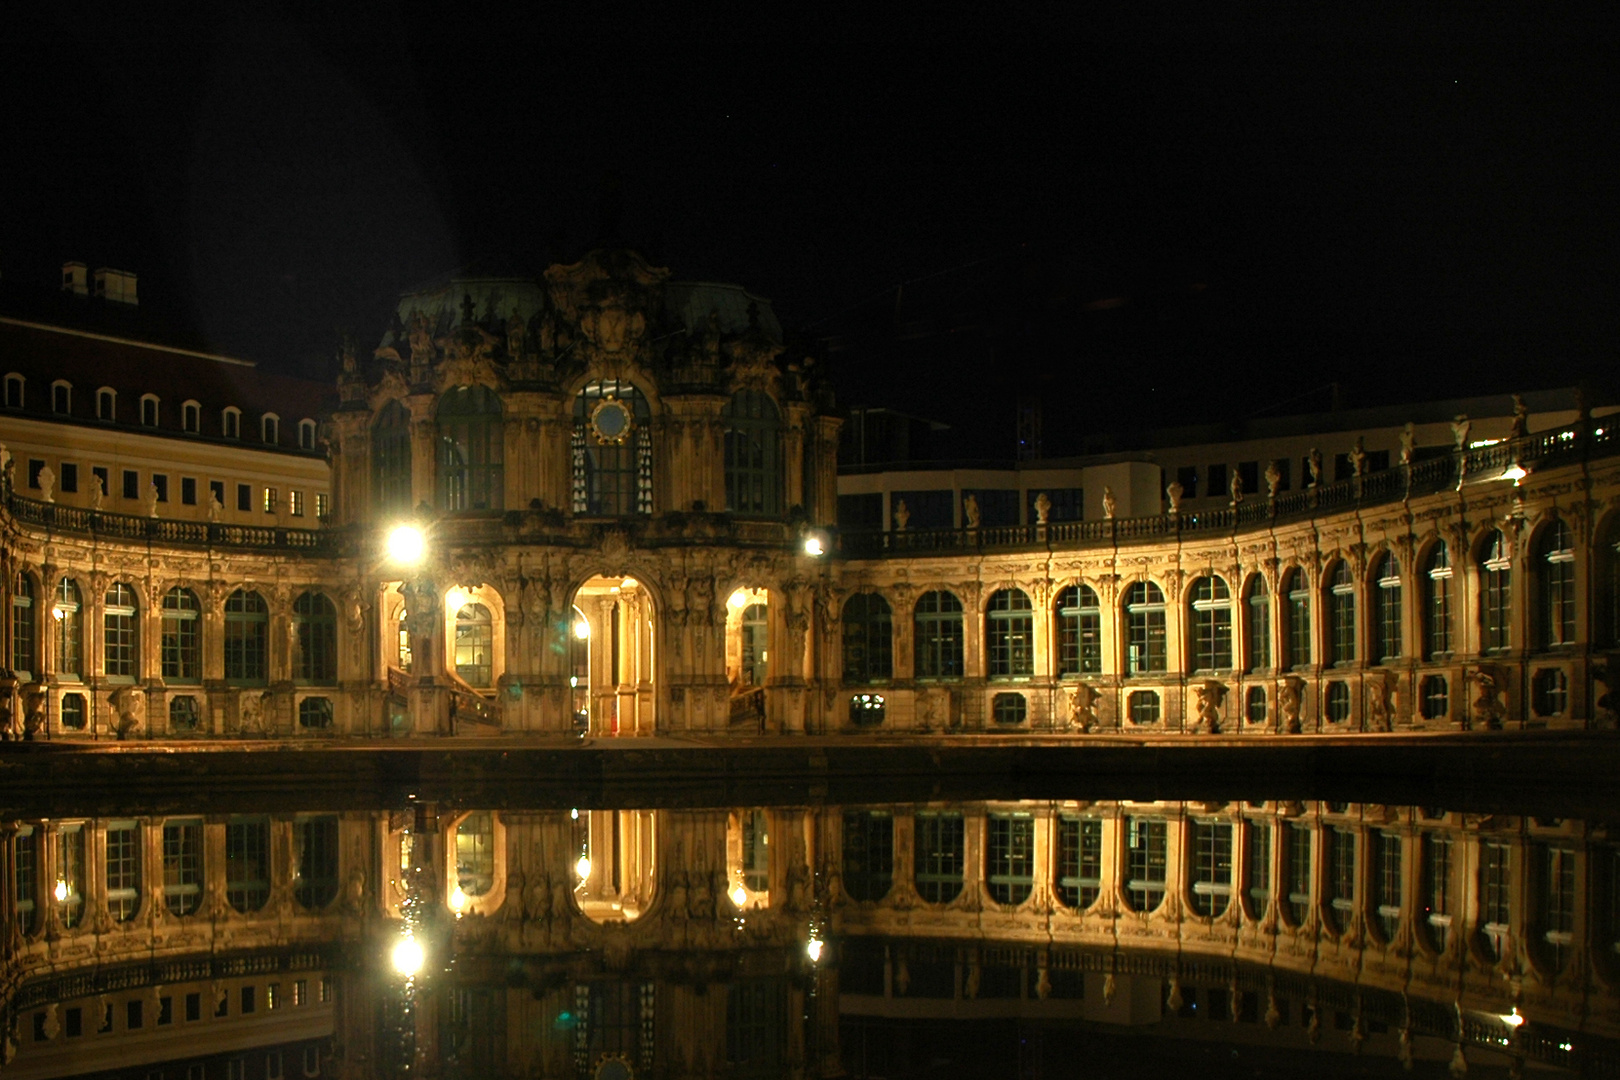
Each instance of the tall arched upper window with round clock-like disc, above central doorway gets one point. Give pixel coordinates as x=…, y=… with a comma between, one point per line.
x=613, y=451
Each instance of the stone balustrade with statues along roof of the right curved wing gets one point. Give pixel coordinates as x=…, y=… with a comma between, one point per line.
x=1561, y=446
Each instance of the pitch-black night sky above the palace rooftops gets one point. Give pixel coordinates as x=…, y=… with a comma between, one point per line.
x=1350, y=197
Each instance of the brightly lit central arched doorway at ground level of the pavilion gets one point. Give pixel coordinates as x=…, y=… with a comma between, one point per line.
x=612, y=657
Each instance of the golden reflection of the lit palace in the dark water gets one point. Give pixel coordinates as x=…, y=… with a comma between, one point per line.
x=767, y=942
